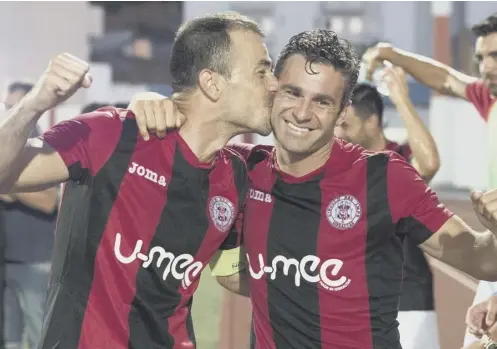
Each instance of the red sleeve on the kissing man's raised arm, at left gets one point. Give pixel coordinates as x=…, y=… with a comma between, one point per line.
x=86, y=142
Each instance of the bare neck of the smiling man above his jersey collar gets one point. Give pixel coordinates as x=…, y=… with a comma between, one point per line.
x=299, y=165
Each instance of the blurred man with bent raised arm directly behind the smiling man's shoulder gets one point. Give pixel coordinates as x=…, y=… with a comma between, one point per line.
x=364, y=125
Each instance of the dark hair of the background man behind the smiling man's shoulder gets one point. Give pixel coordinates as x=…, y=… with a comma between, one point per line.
x=367, y=101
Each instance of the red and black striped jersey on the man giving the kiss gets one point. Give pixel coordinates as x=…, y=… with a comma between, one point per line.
x=139, y=220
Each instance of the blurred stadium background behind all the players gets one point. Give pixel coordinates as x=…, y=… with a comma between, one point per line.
x=128, y=44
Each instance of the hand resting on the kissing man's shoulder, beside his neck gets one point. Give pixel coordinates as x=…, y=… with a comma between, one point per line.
x=155, y=114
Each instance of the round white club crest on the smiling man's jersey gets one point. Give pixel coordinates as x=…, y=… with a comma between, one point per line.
x=344, y=212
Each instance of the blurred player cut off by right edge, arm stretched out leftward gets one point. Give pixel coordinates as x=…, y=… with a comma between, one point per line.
x=481, y=92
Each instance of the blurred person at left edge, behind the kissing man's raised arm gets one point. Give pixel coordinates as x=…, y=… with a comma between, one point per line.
x=29, y=229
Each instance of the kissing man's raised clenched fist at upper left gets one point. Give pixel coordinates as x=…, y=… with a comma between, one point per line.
x=64, y=76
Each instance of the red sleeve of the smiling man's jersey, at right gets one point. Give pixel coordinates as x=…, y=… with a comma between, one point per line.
x=415, y=208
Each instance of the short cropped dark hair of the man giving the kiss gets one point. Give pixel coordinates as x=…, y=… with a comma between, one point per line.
x=204, y=43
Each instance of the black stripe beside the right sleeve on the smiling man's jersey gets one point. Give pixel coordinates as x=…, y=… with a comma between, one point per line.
x=383, y=256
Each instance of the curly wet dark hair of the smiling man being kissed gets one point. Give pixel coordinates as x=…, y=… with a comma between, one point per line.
x=324, y=46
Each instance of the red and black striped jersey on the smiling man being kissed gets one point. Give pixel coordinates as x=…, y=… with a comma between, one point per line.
x=324, y=251
